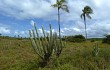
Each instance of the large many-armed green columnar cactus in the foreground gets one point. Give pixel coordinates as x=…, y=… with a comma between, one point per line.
x=46, y=46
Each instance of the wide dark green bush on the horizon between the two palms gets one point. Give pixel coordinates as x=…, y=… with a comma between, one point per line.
x=76, y=38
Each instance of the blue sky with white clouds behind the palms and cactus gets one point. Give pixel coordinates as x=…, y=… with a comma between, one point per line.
x=18, y=16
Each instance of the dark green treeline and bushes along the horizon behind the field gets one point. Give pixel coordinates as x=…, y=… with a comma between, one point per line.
x=75, y=38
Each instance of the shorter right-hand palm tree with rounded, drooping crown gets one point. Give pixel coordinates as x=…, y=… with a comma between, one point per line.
x=86, y=13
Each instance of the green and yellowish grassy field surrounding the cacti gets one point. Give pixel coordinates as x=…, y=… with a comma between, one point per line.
x=19, y=55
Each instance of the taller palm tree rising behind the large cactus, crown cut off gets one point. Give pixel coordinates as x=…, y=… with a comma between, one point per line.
x=60, y=4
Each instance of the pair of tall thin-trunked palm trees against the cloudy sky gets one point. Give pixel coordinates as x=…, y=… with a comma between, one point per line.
x=62, y=5
